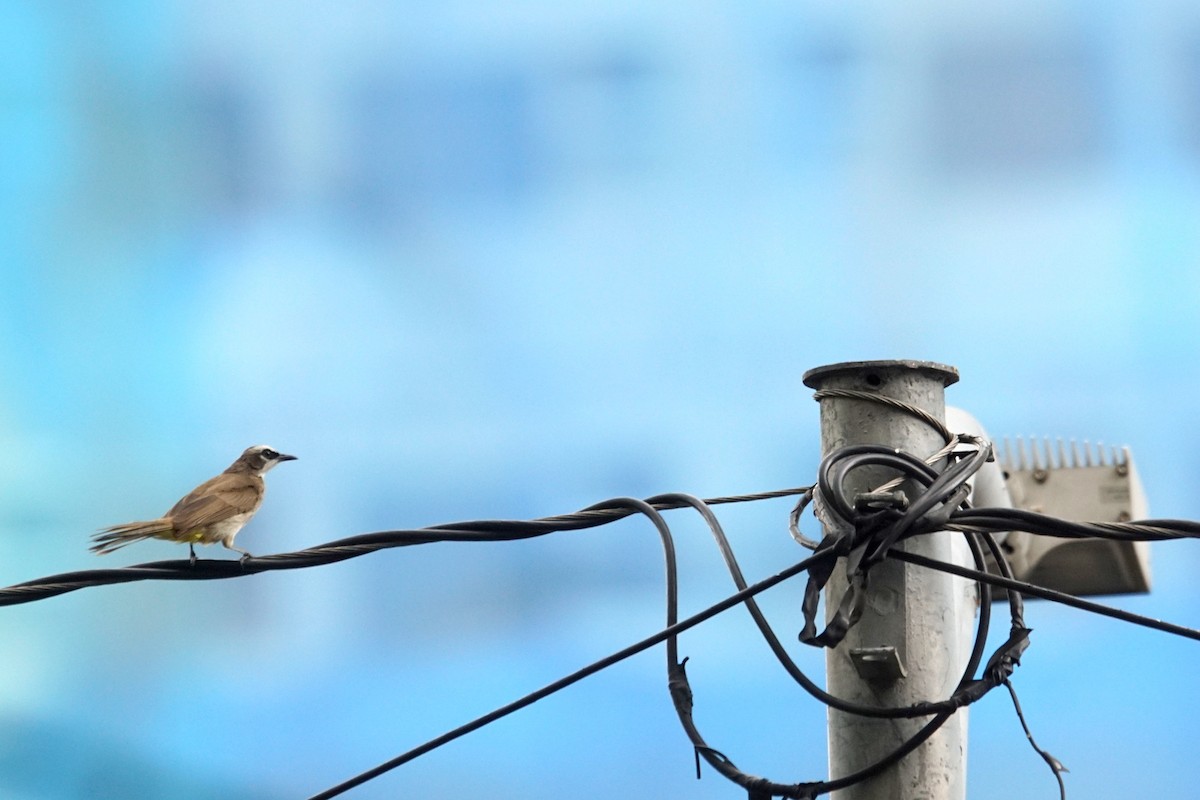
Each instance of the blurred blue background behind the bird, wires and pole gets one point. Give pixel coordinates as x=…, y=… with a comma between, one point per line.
x=470, y=260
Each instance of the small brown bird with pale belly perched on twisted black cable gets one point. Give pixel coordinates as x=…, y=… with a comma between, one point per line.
x=212, y=513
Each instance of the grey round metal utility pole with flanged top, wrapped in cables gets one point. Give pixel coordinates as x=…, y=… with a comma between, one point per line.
x=925, y=616
